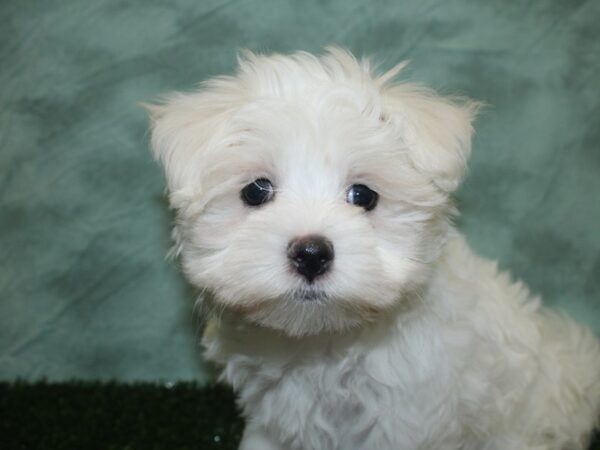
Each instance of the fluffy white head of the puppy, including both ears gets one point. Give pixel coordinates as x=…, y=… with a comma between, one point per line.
x=311, y=195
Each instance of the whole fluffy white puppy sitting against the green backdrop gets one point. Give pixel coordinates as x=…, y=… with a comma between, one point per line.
x=313, y=203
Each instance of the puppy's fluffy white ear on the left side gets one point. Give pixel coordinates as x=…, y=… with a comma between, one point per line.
x=184, y=127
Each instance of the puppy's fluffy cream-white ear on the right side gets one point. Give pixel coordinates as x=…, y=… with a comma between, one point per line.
x=436, y=130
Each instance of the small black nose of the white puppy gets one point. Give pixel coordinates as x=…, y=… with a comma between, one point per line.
x=311, y=255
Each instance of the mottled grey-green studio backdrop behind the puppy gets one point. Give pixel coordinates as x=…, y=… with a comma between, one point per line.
x=85, y=290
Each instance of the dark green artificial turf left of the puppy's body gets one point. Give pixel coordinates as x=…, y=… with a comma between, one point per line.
x=113, y=416
